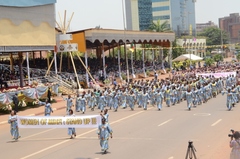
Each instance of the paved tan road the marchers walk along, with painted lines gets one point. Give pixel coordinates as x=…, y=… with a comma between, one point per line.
x=137, y=134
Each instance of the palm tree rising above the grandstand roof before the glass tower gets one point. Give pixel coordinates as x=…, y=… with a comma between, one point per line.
x=158, y=27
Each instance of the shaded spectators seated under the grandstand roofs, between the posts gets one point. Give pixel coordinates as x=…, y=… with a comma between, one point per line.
x=94, y=66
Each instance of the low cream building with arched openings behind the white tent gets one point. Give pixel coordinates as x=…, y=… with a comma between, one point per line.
x=193, y=46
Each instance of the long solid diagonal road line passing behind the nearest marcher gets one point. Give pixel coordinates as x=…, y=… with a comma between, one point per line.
x=60, y=143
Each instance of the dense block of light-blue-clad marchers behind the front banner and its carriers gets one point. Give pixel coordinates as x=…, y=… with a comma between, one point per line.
x=195, y=90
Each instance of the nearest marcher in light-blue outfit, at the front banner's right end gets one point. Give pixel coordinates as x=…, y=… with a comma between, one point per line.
x=104, y=132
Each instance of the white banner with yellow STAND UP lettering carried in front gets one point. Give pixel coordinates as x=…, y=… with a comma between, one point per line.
x=89, y=121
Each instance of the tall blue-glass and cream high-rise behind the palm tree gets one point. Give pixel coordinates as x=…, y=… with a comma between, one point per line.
x=180, y=14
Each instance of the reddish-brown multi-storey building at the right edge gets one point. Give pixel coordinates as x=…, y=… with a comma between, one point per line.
x=231, y=25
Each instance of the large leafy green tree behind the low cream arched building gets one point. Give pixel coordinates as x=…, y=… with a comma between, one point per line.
x=214, y=36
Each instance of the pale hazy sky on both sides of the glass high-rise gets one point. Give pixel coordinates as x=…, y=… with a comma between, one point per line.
x=108, y=13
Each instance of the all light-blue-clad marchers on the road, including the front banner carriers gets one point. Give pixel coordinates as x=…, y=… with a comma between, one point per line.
x=185, y=86
